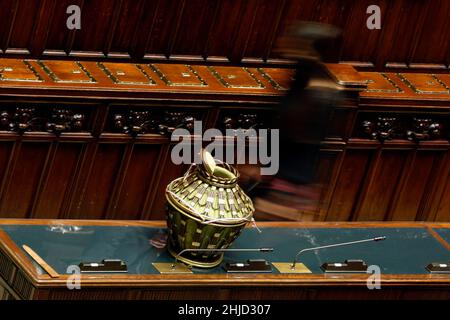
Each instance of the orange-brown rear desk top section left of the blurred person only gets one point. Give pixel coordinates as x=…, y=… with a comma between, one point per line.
x=104, y=77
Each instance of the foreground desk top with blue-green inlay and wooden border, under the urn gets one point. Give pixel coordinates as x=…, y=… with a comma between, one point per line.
x=410, y=243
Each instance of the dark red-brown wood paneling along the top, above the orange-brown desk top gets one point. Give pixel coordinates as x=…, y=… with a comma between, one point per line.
x=412, y=31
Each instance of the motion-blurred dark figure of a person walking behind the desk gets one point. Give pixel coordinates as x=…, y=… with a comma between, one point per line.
x=305, y=113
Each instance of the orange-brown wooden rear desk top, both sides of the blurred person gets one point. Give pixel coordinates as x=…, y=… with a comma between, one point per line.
x=131, y=80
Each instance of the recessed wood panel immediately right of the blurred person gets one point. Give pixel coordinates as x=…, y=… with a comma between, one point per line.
x=349, y=184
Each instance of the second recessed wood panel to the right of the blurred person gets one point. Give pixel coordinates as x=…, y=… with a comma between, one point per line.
x=382, y=185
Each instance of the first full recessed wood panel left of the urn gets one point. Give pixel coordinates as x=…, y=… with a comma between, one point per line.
x=137, y=181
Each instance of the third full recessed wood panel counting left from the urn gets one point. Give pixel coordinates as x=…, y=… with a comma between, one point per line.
x=59, y=180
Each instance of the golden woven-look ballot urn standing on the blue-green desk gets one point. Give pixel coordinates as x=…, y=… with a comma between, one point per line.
x=207, y=209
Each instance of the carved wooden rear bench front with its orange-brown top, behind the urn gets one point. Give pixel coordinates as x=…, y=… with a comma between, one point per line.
x=89, y=140
